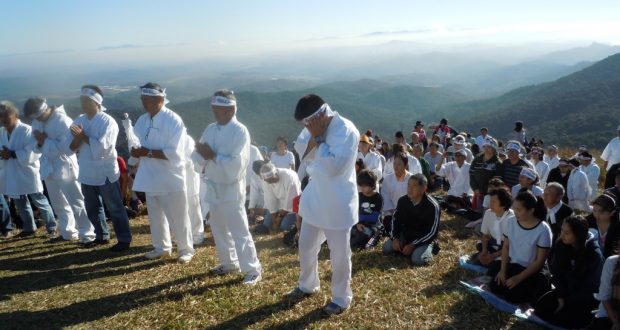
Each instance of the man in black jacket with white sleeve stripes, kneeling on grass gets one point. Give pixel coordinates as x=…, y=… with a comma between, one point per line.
x=414, y=230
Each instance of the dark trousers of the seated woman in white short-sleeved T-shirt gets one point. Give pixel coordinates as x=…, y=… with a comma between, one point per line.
x=527, y=291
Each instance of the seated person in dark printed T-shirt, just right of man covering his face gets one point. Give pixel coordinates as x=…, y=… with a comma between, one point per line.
x=366, y=233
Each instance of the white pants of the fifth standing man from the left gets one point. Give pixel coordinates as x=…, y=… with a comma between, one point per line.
x=233, y=242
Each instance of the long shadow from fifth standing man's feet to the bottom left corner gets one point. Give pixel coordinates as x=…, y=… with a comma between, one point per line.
x=92, y=310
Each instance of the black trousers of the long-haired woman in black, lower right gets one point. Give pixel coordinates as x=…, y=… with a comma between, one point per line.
x=574, y=314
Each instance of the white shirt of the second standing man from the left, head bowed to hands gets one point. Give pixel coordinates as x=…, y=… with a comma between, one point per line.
x=56, y=163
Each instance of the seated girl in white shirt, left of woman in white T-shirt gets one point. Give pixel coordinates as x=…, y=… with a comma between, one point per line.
x=490, y=247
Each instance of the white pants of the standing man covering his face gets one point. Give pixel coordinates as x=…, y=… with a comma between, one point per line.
x=310, y=240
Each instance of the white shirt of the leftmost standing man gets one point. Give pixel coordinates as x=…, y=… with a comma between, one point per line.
x=19, y=176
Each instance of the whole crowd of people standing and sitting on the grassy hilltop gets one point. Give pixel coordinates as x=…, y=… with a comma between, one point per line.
x=549, y=234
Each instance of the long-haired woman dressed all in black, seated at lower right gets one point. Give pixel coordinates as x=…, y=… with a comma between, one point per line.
x=575, y=266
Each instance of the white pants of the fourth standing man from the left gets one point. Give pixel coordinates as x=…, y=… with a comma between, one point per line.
x=169, y=212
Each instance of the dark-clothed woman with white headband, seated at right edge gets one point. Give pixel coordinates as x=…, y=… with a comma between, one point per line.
x=606, y=224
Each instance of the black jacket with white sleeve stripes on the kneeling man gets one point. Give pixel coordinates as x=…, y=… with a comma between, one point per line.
x=417, y=224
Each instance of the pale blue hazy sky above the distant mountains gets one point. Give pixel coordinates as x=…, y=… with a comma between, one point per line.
x=191, y=29
